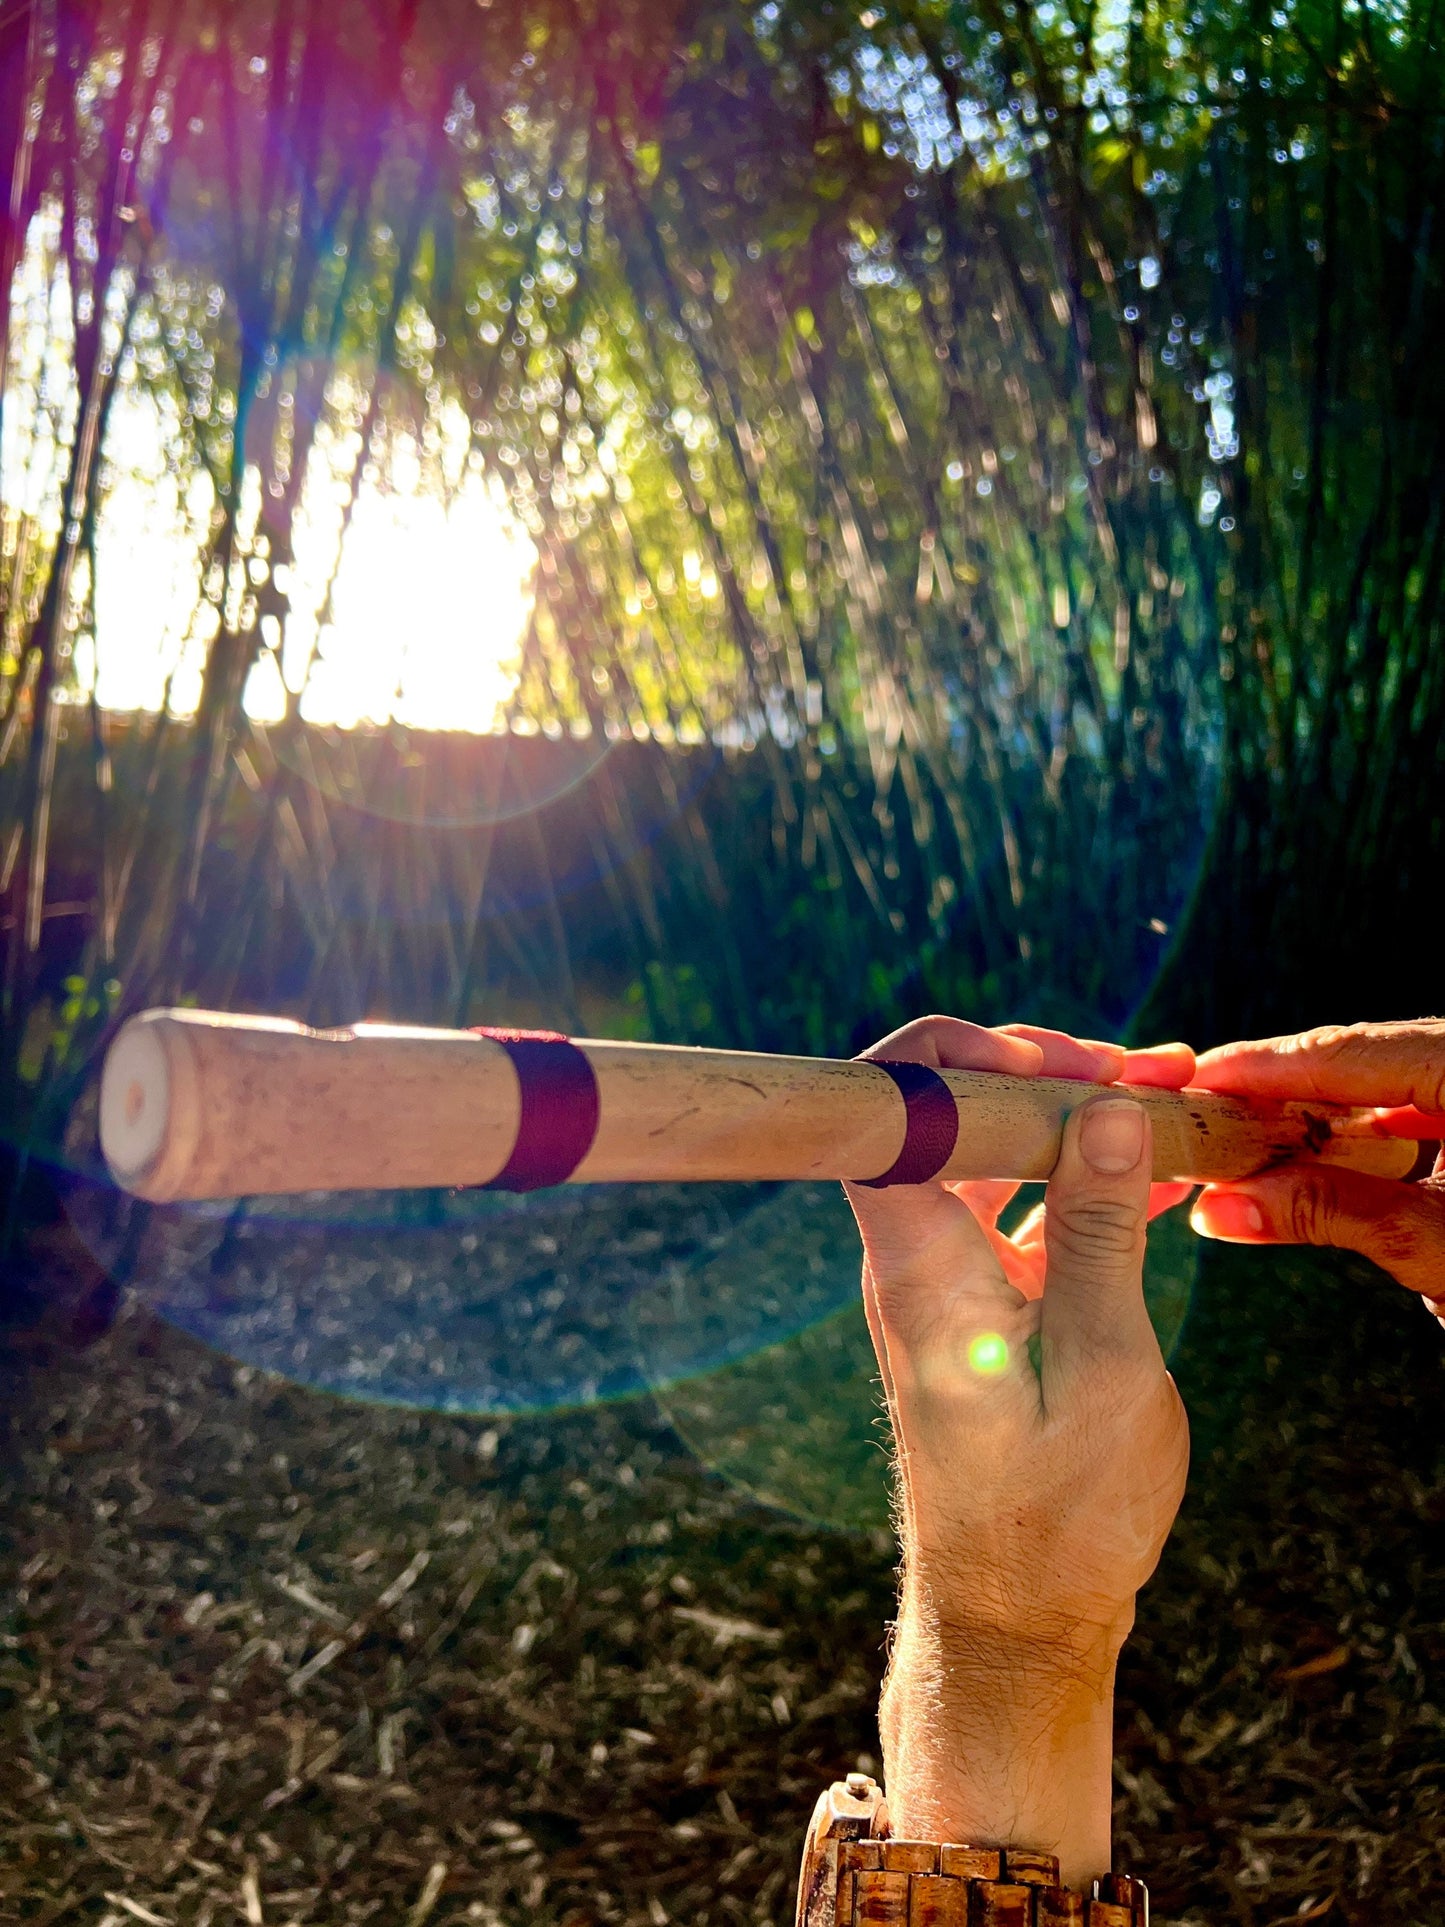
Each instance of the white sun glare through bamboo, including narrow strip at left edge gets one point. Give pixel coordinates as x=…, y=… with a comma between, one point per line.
x=406, y=606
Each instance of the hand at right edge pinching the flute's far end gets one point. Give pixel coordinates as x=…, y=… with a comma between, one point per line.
x=1402, y=1227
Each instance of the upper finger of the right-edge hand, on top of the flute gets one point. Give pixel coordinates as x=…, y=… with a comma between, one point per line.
x=1338, y=1065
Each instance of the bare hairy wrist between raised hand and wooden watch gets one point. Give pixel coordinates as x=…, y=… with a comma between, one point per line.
x=999, y=1741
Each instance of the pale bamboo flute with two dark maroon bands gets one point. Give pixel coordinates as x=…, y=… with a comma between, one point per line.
x=201, y=1105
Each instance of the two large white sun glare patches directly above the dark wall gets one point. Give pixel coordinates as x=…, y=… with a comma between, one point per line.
x=411, y=608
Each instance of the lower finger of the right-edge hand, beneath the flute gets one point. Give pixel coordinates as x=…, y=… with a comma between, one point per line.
x=1402, y=1228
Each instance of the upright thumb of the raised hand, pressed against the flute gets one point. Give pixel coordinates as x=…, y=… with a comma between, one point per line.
x=1095, y=1225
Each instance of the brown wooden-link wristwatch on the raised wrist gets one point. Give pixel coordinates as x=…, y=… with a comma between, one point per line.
x=858, y=1876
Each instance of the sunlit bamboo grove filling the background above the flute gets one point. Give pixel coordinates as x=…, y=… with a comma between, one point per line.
x=982, y=465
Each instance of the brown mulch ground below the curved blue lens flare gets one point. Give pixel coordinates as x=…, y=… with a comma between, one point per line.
x=275, y=1658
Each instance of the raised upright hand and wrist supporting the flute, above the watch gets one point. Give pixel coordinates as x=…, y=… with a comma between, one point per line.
x=1041, y=1458
